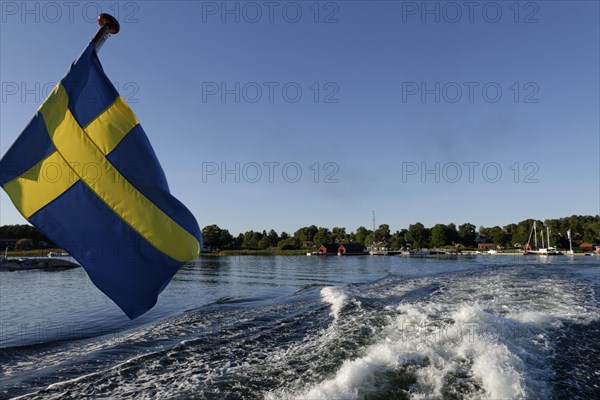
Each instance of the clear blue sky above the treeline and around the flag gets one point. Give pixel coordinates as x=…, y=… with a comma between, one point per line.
x=369, y=74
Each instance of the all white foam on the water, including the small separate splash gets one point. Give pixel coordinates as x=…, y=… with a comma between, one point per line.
x=487, y=334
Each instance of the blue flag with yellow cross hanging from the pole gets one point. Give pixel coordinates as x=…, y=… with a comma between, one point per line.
x=84, y=173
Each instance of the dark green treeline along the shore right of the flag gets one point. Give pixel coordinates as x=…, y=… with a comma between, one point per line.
x=585, y=229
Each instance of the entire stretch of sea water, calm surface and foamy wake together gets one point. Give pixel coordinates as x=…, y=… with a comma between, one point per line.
x=396, y=327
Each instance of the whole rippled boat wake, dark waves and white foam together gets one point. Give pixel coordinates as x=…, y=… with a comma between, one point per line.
x=488, y=334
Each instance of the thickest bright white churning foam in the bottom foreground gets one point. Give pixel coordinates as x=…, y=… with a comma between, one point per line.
x=414, y=340
